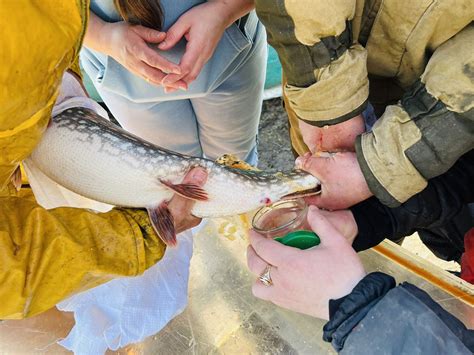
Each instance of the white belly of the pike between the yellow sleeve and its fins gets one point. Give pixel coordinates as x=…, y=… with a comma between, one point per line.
x=90, y=166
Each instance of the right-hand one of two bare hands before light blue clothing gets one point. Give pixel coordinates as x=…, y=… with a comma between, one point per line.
x=203, y=27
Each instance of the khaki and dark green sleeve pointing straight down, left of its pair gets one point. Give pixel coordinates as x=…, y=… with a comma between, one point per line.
x=325, y=70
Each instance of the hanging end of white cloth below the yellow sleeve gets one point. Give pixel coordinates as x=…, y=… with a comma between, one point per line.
x=127, y=310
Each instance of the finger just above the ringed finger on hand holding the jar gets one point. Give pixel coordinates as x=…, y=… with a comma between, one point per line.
x=270, y=250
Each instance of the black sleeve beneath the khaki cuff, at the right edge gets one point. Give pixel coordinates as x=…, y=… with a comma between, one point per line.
x=443, y=199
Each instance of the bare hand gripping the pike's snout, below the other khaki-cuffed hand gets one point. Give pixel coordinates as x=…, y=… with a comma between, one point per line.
x=342, y=181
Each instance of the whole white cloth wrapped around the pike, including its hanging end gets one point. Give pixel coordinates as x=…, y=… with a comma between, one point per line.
x=125, y=310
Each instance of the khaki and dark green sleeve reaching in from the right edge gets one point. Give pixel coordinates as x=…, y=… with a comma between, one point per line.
x=430, y=128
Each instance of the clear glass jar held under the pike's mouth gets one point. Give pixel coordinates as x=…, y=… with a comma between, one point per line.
x=281, y=218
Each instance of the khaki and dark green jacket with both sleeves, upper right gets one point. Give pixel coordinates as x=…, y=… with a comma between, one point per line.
x=419, y=59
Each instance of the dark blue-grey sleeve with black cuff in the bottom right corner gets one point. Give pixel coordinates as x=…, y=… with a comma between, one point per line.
x=379, y=318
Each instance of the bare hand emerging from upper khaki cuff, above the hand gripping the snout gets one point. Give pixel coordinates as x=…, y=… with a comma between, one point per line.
x=339, y=137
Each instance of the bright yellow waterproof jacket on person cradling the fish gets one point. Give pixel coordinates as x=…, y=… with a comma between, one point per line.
x=48, y=255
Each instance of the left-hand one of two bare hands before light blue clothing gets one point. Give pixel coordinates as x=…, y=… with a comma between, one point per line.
x=128, y=45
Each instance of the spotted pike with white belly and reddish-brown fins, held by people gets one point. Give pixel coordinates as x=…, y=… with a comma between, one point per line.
x=95, y=158
